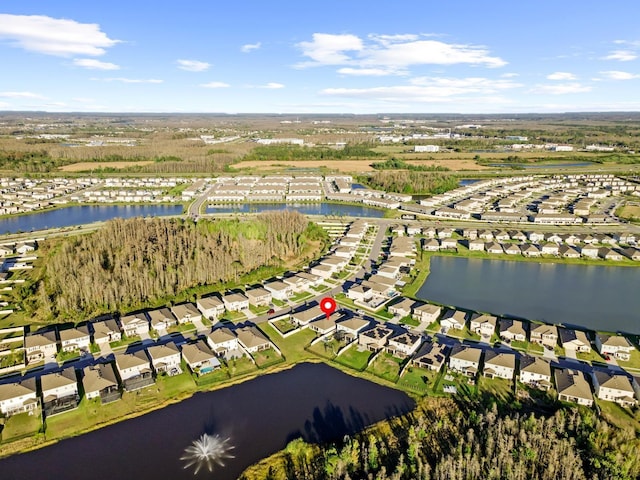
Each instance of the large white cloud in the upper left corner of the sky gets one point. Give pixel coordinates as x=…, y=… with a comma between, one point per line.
x=54, y=36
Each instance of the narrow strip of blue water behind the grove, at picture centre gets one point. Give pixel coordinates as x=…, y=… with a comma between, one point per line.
x=304, y=208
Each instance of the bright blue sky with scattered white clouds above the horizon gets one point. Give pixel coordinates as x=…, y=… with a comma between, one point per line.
x=347, y=56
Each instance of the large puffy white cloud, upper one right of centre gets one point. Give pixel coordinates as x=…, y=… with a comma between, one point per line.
x=391, y=53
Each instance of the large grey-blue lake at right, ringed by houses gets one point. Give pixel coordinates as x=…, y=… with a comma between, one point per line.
x=597, y=297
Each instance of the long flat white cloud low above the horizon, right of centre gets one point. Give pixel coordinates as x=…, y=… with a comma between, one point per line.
x=429, y=89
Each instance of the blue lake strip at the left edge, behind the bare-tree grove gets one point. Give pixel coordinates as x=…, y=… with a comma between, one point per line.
x=71, y=216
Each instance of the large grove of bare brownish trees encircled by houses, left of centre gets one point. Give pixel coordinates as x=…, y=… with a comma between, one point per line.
x=133, y=261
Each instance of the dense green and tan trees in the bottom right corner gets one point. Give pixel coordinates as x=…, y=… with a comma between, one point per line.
x=448, y=440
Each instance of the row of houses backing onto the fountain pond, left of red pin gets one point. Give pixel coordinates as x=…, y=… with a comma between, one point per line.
x=59, y=391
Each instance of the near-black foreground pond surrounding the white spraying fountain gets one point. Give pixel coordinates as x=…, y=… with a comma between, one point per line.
x=313, y=401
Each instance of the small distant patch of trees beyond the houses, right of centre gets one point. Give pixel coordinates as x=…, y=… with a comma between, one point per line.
x=403, y=181
